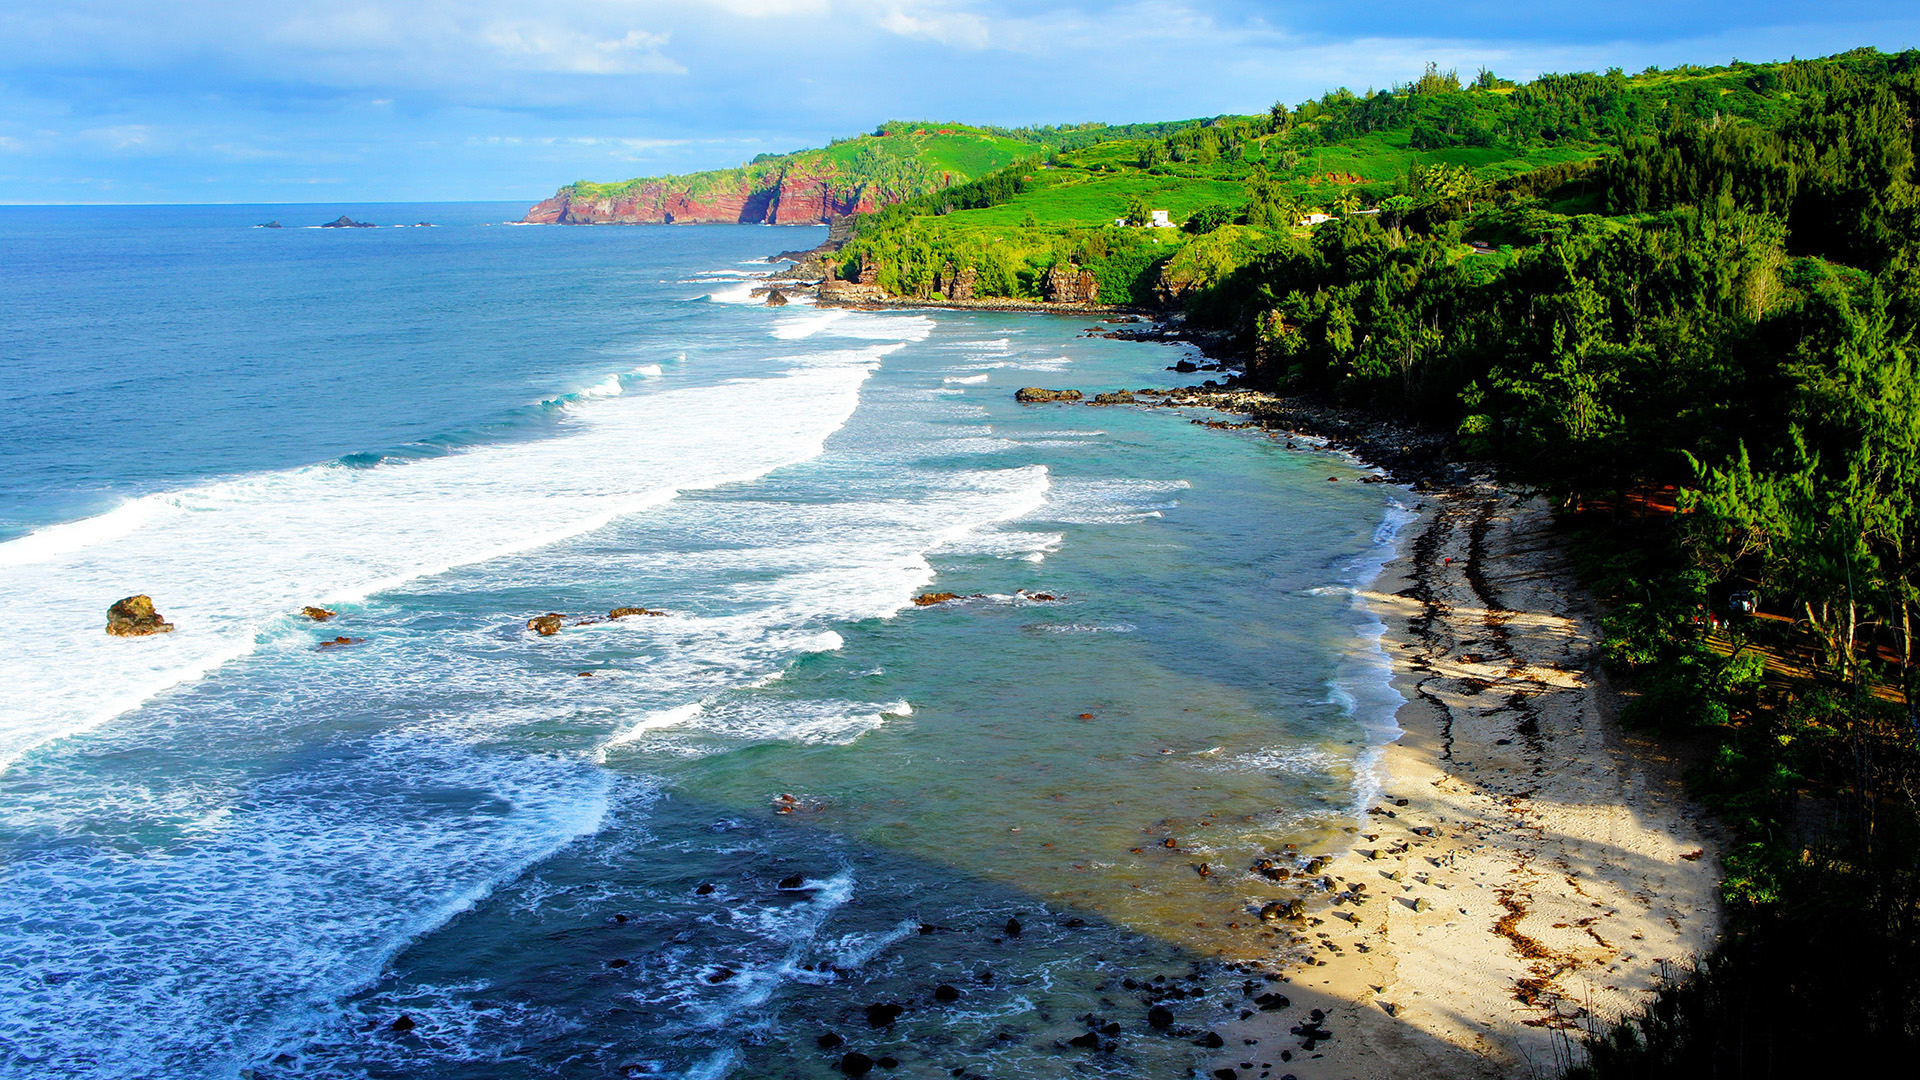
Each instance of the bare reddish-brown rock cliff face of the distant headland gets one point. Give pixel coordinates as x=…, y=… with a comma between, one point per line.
x=780, y=199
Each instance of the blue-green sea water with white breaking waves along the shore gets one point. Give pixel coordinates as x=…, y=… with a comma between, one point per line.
x=681, y=845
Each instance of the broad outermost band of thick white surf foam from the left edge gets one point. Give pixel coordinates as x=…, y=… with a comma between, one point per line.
x=228, y=562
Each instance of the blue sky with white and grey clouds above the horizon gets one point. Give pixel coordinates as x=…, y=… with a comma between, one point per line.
x=418, y=101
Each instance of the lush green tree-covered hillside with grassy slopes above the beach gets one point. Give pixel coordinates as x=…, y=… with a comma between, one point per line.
x=1683, y=305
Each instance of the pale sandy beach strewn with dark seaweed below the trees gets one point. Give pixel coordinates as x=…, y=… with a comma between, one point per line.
x=1529, y=866
